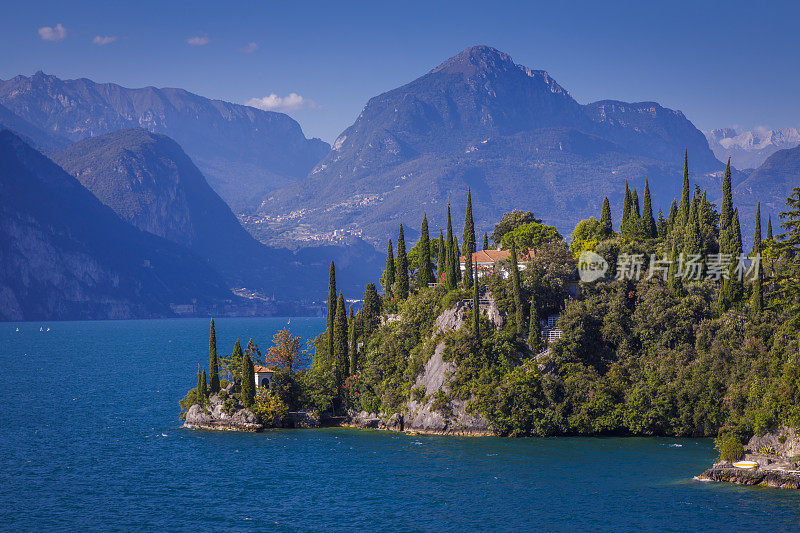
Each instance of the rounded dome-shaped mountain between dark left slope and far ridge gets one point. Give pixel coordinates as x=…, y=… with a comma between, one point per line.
x=148, y=180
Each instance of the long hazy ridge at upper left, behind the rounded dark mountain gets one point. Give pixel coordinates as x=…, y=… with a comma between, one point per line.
x=245, y=152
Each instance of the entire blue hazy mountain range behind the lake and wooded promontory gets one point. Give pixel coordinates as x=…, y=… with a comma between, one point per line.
x=122, y=221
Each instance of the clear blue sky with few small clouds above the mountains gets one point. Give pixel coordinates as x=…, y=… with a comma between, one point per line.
x=721, y=63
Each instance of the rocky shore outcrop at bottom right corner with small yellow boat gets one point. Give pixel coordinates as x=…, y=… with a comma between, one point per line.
x=778, y=456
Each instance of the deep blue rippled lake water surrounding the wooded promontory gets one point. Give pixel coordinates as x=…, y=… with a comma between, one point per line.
x=91, y=441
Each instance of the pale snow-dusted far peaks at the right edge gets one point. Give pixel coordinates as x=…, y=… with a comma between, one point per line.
x=750, y=148
